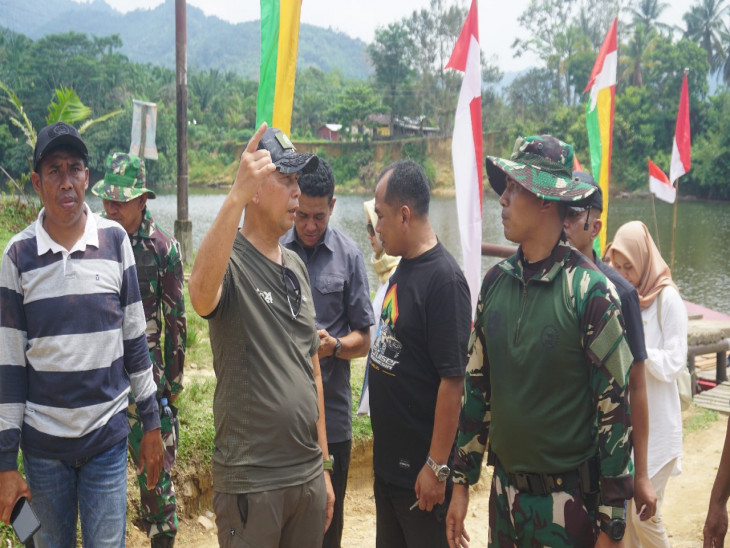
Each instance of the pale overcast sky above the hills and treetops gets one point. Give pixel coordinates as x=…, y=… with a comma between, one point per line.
x=498, y=25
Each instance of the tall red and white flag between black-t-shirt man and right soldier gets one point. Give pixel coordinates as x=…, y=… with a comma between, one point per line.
x=466, y=150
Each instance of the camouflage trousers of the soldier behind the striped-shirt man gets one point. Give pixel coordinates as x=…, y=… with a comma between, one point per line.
x=157, y=507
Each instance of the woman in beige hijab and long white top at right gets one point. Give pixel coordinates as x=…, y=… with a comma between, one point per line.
x=634, y=254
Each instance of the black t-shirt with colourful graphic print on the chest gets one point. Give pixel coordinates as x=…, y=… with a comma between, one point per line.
x=423, y=332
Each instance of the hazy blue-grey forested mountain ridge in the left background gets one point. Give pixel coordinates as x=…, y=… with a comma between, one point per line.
x=149, y=36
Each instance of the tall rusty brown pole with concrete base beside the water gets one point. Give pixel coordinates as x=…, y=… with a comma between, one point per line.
x=183, y=225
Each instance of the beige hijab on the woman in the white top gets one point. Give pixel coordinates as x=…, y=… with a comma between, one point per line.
x=634, y=241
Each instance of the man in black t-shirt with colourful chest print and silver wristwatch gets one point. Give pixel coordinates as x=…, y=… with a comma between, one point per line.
x=417, y=364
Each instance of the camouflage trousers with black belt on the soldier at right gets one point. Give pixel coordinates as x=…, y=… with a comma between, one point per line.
x=560, y=519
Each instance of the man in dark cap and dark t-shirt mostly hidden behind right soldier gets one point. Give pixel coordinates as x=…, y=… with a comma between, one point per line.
x=582, y=225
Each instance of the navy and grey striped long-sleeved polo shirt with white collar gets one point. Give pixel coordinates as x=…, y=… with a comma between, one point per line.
x=72, y=341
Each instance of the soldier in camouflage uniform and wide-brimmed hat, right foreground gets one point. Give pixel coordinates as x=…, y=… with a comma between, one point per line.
x=545, y=391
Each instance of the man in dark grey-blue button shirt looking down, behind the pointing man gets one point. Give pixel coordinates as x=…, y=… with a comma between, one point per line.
x=344, y=314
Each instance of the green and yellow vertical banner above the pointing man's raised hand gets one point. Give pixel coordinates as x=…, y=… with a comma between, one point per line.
x=279, y=41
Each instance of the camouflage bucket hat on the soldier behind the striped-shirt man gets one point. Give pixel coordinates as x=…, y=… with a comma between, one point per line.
x=123, y=179
